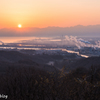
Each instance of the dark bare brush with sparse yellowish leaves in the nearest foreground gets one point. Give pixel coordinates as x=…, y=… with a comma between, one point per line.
x=34, y=84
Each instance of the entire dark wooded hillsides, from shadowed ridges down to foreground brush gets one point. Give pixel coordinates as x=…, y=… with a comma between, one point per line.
x=22, y=78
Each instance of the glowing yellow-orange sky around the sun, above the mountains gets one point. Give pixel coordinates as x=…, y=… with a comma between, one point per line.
x=44, y=13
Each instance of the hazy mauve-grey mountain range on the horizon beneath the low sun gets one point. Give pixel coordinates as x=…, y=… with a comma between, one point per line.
x=79, y=30
